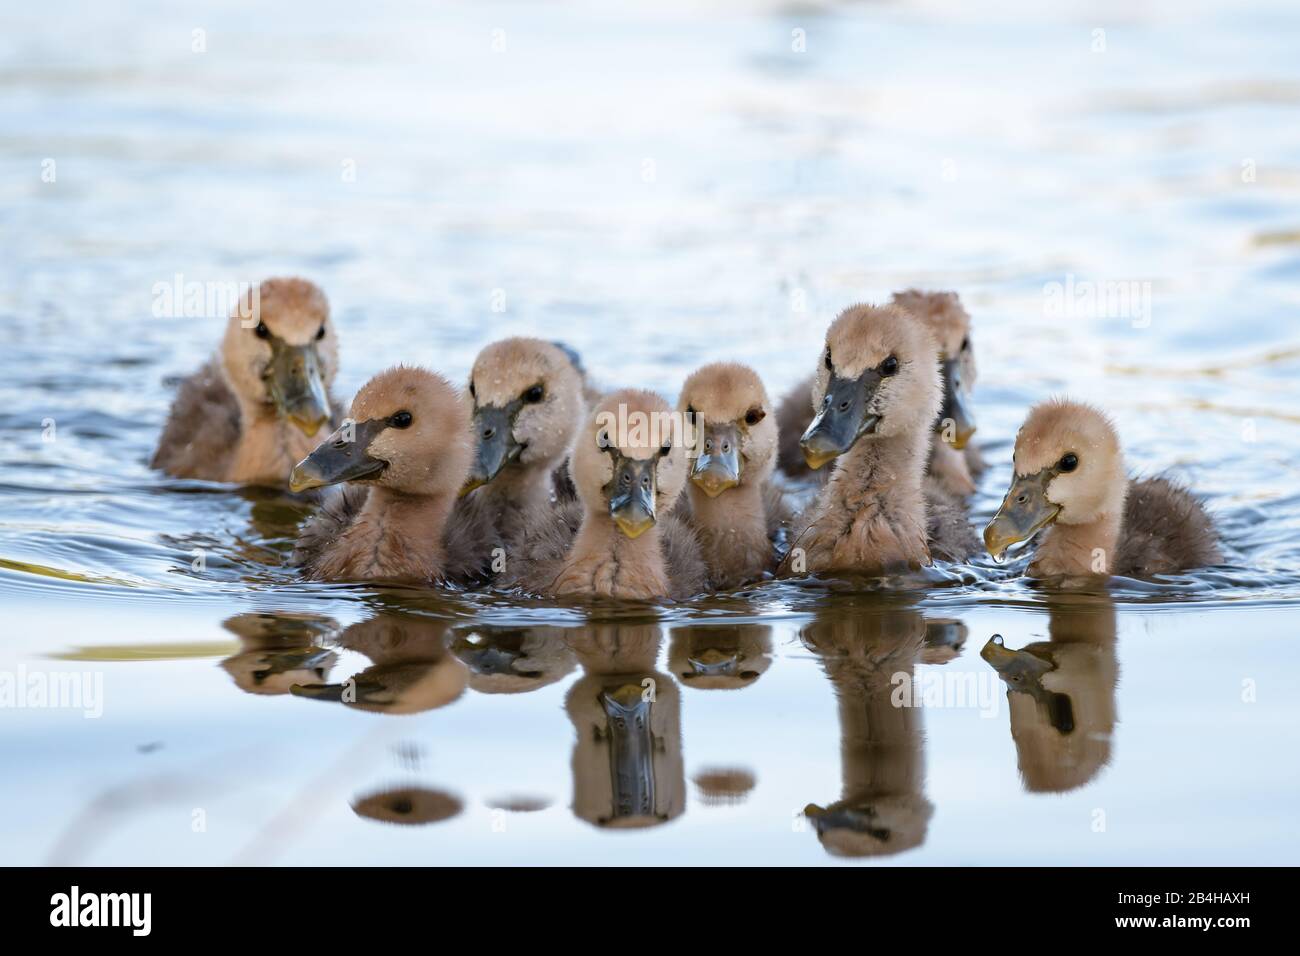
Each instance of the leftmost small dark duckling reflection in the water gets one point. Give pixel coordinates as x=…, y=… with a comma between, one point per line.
x=279, y=651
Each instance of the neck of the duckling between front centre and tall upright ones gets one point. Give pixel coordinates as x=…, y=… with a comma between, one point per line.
x=733, y=531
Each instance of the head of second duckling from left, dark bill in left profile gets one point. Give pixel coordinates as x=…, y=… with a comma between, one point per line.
x=409, y=431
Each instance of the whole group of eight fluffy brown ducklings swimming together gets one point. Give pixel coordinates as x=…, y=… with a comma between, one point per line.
x=521, y=481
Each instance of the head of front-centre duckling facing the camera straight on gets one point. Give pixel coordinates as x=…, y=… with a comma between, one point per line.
x=631, y=460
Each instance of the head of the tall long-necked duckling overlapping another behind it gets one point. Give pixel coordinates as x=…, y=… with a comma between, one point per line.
x=878, y=379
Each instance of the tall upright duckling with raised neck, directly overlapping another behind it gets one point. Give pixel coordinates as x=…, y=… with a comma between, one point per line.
x=878, y=393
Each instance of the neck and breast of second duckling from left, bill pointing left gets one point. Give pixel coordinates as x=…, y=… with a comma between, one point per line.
x=396, y=537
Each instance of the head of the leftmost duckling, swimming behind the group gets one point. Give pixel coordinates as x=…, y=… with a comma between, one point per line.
x=280, y=352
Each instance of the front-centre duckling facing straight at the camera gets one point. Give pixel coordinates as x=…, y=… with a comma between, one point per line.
x=629, y=466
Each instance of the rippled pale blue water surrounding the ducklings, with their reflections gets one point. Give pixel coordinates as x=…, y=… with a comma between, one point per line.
x=660, y=191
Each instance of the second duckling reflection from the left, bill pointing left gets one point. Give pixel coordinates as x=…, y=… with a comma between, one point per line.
x=413, y=671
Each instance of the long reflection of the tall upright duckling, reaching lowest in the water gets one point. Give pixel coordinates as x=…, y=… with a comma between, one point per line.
x=883, y=808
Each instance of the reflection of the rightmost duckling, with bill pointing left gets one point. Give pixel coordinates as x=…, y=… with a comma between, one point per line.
x=1061, y=694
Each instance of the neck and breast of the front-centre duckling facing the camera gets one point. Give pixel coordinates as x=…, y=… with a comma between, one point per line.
x=606, y=563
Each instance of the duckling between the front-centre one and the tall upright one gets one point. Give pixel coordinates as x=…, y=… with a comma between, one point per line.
x=734, y=507
